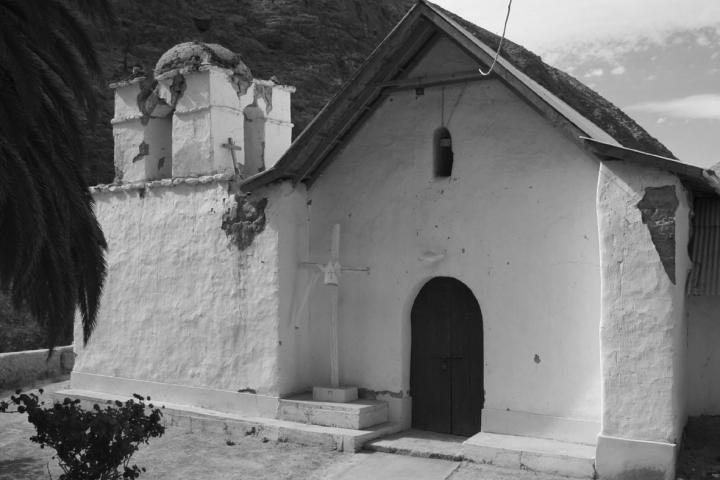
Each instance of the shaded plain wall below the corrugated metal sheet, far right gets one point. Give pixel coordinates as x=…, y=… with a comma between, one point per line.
x=703, y=369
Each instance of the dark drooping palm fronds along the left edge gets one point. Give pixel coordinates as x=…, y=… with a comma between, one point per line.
x=51, y=246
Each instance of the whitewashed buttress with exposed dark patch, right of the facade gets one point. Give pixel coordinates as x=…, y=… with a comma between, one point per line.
x=643, y=217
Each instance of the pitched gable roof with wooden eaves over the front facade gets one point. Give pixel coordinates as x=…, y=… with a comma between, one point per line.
x=562, y=99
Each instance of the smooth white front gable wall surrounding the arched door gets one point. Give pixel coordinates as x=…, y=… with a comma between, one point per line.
x=516, y=222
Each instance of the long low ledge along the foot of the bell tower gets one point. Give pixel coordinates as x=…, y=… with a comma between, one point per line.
x=232, y=426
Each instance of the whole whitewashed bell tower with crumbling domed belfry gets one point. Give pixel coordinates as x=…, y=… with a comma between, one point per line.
x=196, y=278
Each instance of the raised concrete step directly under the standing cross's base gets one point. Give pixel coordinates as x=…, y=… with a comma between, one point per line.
x=355, y=415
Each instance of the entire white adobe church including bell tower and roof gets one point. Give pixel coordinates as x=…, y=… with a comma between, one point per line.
x=481, y=256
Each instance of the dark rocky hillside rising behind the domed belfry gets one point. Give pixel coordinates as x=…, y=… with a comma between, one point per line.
x=314, y=45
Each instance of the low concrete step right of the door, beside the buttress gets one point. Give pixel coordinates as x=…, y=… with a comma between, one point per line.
x=537, y=454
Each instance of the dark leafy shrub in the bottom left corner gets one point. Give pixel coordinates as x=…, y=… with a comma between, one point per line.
x=91, y=444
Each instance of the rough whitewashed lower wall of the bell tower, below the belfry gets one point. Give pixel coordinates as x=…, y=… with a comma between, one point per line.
x=187, y=313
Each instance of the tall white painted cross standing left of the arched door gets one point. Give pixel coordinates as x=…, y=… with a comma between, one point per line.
x=332, y=272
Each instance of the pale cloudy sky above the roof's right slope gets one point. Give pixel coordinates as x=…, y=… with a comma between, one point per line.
x=658, y=60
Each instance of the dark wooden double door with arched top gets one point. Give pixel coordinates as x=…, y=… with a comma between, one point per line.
x=446, y=358
